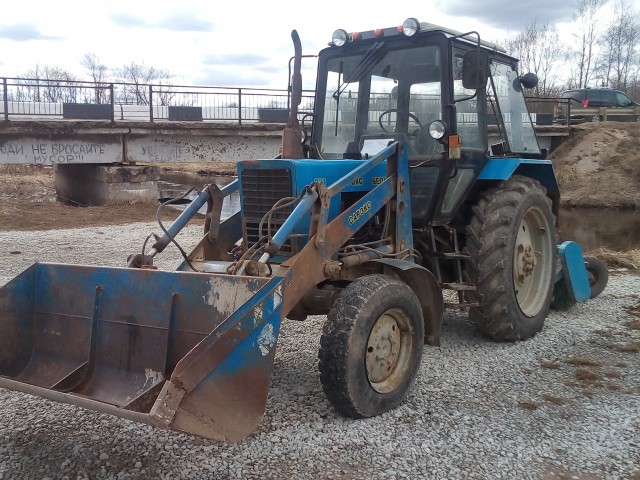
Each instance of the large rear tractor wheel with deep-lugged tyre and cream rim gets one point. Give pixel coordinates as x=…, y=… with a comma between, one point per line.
x=512, y=245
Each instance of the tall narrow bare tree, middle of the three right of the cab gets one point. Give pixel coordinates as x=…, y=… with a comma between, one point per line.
x=587, y=19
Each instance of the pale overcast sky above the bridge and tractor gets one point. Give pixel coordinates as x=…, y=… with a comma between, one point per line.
x=230, y=43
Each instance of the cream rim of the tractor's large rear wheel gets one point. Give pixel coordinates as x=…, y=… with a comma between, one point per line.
x=532, y=262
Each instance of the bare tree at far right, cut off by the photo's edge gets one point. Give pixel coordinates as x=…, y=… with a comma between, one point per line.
x=620, y=43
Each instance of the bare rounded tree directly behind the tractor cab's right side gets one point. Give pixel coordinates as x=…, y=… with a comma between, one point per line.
x=540, y=51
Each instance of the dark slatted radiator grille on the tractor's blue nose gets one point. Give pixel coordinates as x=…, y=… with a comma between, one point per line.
x=261, y=189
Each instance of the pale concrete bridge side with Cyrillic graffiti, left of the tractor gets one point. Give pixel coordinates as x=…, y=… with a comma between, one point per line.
x=82, y=142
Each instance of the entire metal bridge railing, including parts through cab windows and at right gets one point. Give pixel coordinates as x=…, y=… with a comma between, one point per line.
x=60, y=99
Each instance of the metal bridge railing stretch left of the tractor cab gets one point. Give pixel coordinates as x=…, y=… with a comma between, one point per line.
x=59, y=99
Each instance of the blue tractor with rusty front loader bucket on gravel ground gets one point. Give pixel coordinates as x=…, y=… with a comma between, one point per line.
x=417, y=172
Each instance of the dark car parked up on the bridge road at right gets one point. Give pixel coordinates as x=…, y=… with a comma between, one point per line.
x=583, y=101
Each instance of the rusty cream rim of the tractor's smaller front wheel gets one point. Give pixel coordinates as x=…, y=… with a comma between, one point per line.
x=389, y=350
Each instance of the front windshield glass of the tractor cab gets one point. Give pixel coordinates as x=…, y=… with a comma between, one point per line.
x=382, y=95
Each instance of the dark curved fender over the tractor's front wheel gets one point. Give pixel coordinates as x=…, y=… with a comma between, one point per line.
x=426, y=288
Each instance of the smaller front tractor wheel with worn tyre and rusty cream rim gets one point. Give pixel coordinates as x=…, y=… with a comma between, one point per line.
x=371, y=346
